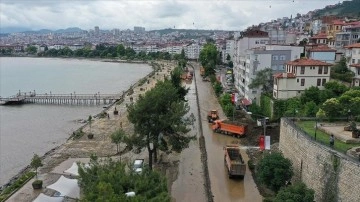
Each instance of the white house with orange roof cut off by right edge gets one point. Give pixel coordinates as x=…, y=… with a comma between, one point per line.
x=352, y=55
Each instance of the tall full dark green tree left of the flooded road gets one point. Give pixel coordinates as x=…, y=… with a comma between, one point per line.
x=159, y=120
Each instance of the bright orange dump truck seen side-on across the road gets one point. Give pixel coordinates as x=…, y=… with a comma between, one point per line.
x=229, y=128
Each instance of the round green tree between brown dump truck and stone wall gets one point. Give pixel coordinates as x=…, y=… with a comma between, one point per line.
x=274, y=170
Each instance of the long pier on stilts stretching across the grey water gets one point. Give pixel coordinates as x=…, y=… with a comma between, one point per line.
x=69, y=99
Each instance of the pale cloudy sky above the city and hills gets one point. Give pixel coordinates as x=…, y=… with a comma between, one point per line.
x=151, y=14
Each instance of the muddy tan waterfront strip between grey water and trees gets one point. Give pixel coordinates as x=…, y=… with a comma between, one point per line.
x=61, y=158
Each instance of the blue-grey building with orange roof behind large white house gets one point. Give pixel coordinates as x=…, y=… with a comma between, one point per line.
x=323, y=53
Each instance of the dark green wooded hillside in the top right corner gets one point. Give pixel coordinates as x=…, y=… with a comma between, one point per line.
x=344, y=9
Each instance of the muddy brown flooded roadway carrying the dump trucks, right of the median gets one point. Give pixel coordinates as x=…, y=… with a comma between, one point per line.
x=223, y=188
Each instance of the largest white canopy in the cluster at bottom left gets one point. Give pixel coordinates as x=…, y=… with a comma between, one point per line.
x=66, y=187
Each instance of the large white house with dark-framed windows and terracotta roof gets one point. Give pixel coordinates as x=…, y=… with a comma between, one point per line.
x=300, y=74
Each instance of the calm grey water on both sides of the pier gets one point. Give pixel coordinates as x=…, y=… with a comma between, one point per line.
x=34, y=128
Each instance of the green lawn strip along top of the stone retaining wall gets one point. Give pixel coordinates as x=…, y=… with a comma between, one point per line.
x=309, y=128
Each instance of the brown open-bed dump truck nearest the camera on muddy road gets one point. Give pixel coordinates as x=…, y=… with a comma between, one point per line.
x=234, y=162
